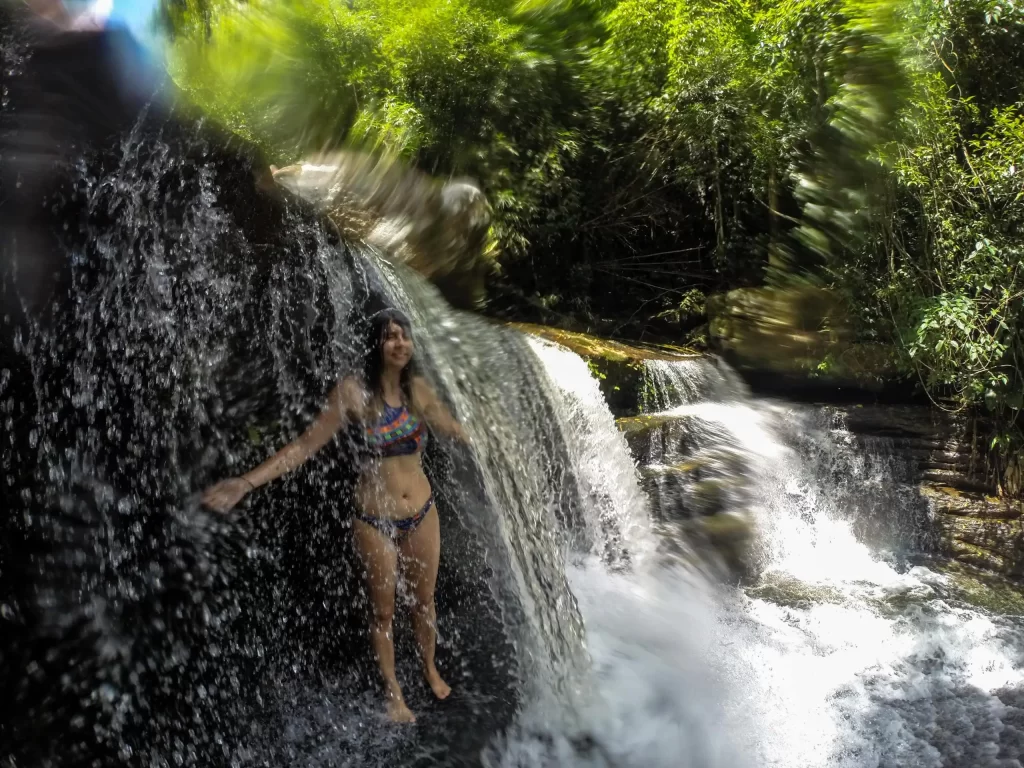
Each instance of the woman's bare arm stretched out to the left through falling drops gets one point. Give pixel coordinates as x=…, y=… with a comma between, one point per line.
x=347, y=400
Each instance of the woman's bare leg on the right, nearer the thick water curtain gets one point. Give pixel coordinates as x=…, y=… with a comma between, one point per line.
x=420, y=553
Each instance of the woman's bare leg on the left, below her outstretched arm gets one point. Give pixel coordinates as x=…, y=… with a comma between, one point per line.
x=381, y=563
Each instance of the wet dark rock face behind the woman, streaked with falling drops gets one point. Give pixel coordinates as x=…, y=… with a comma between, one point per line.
x=166, y=319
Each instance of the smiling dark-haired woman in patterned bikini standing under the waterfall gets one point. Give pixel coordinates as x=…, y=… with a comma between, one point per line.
x=397, y=524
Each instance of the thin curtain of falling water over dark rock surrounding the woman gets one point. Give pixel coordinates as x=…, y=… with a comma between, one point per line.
x=200, y=366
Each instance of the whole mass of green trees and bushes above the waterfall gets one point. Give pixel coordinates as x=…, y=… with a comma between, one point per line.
x=642, y=155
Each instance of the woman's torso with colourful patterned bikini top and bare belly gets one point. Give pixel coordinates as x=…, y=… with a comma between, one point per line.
x=393, y=485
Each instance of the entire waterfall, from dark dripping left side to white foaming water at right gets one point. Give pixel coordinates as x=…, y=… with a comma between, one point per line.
x=165, y=323
